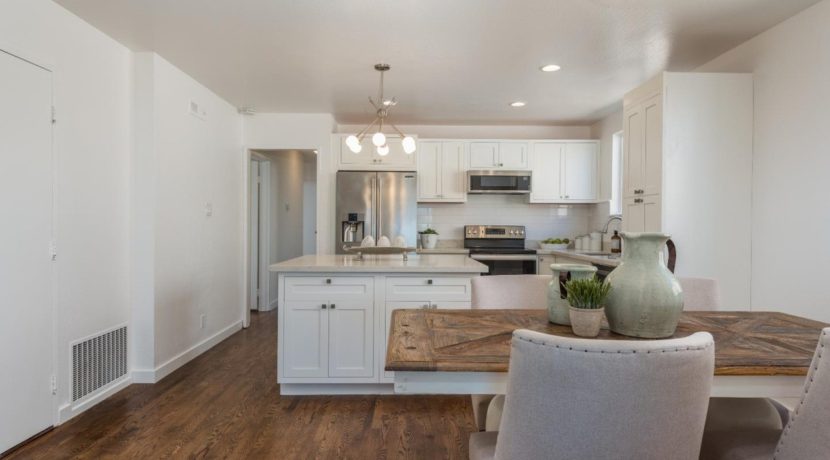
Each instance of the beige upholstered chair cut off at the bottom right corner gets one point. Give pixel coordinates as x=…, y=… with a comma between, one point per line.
x=741, y=433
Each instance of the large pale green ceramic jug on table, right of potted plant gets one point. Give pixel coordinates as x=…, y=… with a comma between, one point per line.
x=645, y=299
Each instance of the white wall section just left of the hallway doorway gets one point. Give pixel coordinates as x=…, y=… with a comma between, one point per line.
x=196, y=163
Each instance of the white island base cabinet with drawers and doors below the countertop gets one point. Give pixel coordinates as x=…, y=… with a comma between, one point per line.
x=334, y=329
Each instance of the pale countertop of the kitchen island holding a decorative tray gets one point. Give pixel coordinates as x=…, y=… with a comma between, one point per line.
x=422, y=263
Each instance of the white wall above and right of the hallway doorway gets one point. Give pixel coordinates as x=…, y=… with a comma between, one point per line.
x=312, y=131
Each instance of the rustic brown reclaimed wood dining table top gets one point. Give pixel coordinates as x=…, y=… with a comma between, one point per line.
x=746, y=343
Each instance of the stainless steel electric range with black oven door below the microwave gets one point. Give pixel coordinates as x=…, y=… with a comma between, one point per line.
x=501, y=248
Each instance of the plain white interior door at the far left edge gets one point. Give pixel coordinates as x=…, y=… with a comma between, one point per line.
x=26, y=334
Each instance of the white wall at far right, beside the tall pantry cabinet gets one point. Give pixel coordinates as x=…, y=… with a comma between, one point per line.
x=790, y=219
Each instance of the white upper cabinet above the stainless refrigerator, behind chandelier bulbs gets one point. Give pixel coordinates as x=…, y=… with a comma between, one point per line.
x=368, y=159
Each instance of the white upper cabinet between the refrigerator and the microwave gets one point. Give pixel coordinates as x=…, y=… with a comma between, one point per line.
x=442, y=171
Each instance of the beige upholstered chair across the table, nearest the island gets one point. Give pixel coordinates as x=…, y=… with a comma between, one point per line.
x=504, y=292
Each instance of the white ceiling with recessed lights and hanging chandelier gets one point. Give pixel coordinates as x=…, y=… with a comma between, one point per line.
x=453, y=61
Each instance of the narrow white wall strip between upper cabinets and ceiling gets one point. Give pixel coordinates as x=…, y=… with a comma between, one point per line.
x=486, y=131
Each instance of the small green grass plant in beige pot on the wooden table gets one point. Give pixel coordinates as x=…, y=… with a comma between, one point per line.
x=587, y=300
